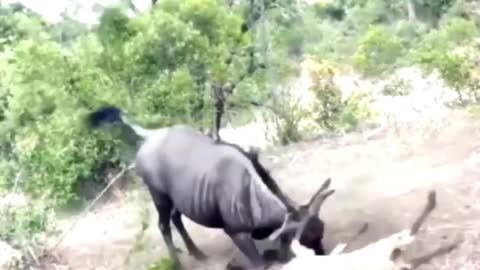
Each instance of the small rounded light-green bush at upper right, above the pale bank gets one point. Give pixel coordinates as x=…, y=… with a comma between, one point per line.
x=378, y=51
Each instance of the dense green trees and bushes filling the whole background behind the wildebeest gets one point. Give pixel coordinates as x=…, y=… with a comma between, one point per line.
x=162, y=66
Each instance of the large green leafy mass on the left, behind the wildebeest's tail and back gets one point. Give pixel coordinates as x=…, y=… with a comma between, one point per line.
x=159, y=66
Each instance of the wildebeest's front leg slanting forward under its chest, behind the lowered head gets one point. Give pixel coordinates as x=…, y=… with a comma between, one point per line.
x=245, y=243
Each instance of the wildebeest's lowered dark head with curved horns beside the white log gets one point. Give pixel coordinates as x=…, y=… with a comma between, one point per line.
x=307, y=217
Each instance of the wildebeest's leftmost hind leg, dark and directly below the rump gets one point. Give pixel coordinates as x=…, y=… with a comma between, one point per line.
x=164, y=207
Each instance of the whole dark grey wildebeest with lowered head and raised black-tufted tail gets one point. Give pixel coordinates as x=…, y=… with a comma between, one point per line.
x=216, y=185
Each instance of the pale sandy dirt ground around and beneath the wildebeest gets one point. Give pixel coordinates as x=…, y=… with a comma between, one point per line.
x=383, y=180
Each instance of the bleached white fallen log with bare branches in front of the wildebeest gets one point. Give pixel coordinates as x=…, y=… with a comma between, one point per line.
x=384, y=254
